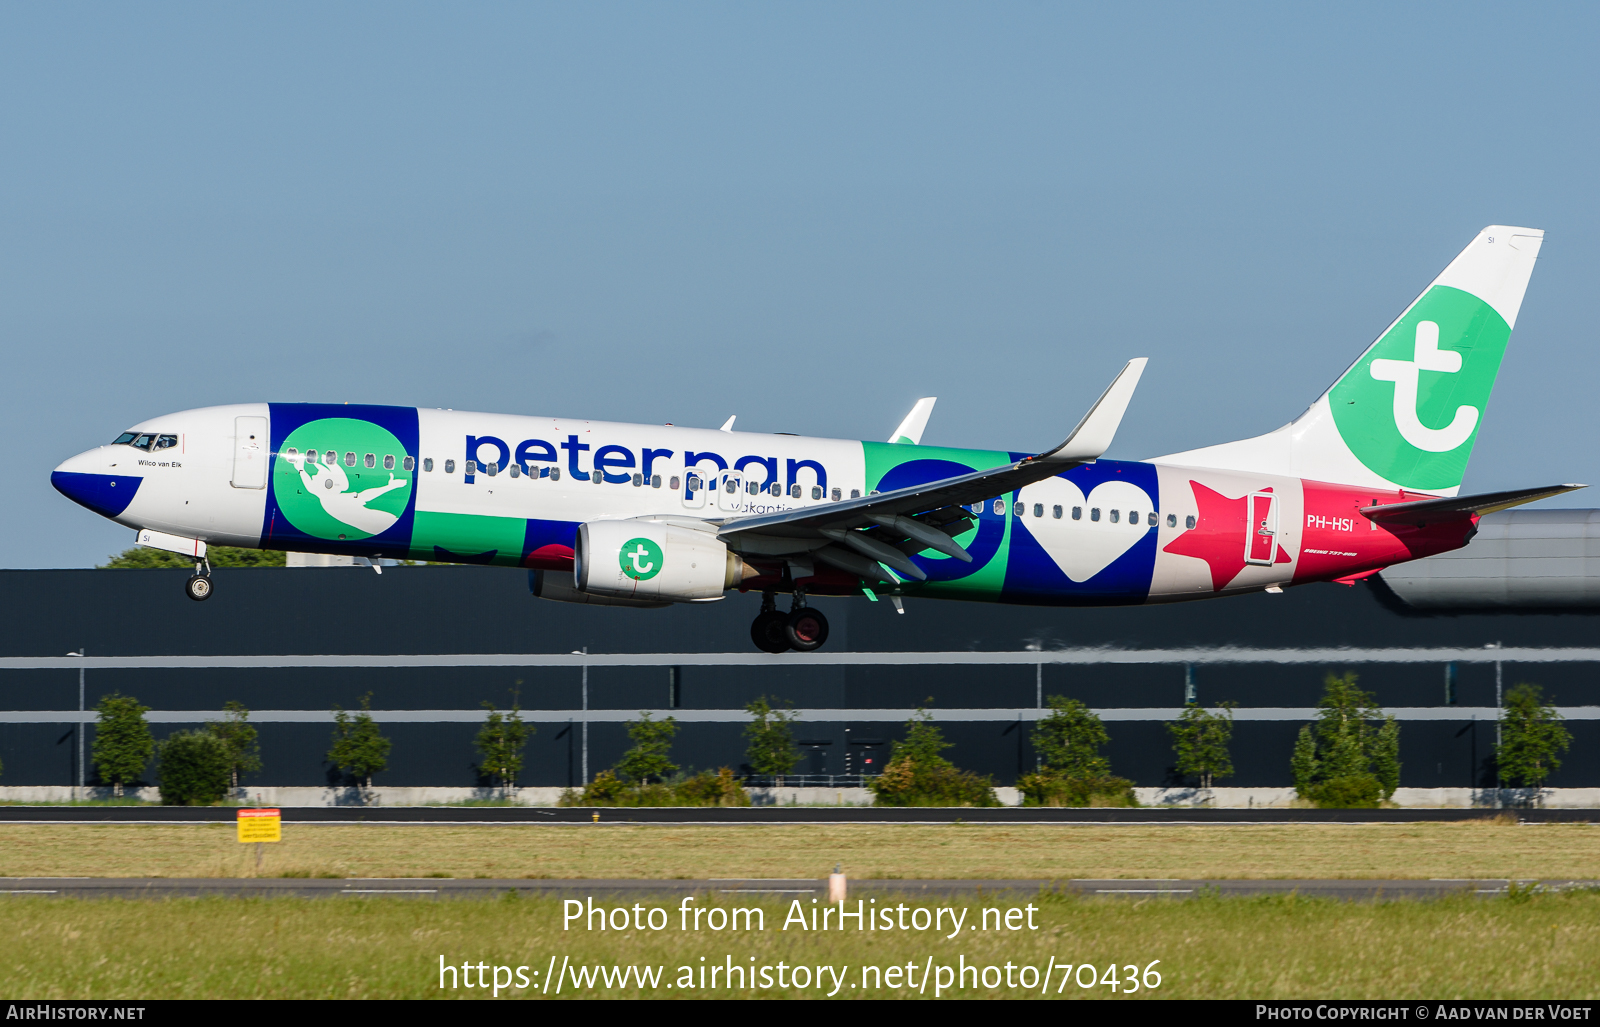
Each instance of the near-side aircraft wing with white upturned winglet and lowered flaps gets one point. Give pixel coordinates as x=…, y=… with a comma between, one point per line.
x=913, y=519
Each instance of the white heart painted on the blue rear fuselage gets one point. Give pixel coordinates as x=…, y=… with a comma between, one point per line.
x=1086, y=548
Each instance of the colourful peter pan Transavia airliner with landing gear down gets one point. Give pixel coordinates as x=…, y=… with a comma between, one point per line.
x=649, y=516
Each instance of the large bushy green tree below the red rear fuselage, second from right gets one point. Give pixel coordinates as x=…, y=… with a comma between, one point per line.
x=1351, y=757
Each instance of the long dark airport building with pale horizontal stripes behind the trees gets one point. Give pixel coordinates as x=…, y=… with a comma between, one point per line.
x=1436, y=642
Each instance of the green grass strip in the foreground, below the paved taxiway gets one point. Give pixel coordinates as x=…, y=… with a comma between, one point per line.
x=1281, y=948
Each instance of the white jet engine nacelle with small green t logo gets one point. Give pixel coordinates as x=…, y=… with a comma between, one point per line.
x=655, y=561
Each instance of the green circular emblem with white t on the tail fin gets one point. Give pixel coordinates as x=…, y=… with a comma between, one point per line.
x=1412, y=406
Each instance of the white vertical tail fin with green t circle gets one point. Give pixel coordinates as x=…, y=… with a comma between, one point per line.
x=1407, y=414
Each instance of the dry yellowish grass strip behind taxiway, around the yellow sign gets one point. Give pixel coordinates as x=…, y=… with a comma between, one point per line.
x=1482, y=849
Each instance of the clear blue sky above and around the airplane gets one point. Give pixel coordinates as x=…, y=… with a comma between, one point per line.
x=807, y=215
